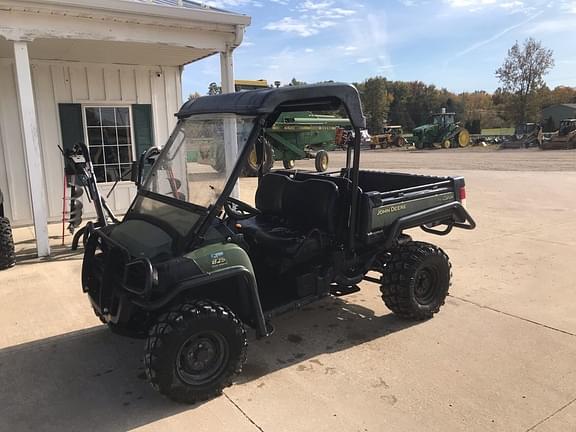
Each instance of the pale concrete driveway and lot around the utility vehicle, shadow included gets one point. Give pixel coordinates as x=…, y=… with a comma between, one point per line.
x=501, y=355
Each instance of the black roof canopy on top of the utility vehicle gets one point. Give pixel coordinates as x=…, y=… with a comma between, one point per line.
x=316, y=97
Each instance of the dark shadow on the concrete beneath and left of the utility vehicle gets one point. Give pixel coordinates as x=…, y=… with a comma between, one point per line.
x=94, y=380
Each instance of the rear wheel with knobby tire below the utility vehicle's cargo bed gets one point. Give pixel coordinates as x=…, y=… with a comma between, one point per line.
x=415, y=280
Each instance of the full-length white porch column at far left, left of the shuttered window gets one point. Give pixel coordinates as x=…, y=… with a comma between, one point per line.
x=29, y=124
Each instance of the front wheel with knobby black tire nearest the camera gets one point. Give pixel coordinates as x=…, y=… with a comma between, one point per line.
x=194, y=350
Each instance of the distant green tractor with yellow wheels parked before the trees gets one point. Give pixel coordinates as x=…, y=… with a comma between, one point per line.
x=444, y=132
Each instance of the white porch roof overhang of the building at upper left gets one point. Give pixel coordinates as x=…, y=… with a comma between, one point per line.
x=119, y=31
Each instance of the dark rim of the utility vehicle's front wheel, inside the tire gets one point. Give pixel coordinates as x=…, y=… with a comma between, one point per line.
x=202, y=358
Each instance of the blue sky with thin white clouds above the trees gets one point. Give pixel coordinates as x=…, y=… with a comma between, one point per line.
x=457, y=44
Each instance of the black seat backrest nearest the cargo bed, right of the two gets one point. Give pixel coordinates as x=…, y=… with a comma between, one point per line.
x=311, y=204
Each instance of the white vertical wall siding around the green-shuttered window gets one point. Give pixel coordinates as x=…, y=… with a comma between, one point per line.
x=84, y=83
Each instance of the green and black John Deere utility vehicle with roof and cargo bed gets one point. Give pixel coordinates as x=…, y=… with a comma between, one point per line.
x=191, y=266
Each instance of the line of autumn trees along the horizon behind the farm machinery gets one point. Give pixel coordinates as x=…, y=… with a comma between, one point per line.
x=520, y=98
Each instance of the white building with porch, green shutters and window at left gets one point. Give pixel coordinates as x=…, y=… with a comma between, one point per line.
x=103, y=72
